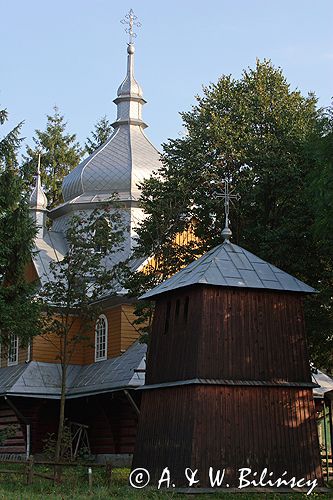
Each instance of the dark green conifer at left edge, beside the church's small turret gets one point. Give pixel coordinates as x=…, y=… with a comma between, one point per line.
x=19, y=312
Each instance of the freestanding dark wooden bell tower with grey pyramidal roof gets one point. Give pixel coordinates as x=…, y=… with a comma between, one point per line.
x=228, y=381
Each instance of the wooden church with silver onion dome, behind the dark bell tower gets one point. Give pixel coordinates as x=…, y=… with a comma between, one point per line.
x=108, y=366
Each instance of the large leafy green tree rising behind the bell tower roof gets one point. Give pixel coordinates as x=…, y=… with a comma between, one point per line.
x=255, y=131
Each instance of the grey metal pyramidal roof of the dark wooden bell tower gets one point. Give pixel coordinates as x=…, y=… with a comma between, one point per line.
x=231, y=266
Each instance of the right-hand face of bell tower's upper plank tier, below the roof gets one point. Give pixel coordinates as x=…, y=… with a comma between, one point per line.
x=253, y=335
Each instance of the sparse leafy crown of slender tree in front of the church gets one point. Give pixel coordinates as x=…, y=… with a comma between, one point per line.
x=81, y=277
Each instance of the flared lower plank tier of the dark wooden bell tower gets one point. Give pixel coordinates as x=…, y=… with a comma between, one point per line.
x=228, y=427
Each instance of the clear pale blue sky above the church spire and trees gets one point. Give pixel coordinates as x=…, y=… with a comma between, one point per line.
x=72, y=53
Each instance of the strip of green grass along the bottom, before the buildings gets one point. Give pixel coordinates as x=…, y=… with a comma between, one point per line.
x=75, y=487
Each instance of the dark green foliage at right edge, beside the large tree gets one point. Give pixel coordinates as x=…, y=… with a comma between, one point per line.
x=320, y=197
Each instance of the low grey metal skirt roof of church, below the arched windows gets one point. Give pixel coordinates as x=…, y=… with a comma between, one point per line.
x=36, y=379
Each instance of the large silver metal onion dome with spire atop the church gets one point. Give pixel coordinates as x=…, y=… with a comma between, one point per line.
x=125, y=159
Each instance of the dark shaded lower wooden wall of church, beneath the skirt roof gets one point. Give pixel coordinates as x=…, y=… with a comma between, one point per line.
x=111, y=419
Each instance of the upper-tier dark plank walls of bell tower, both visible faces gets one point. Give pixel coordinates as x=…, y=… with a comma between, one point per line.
x=232, y=334
